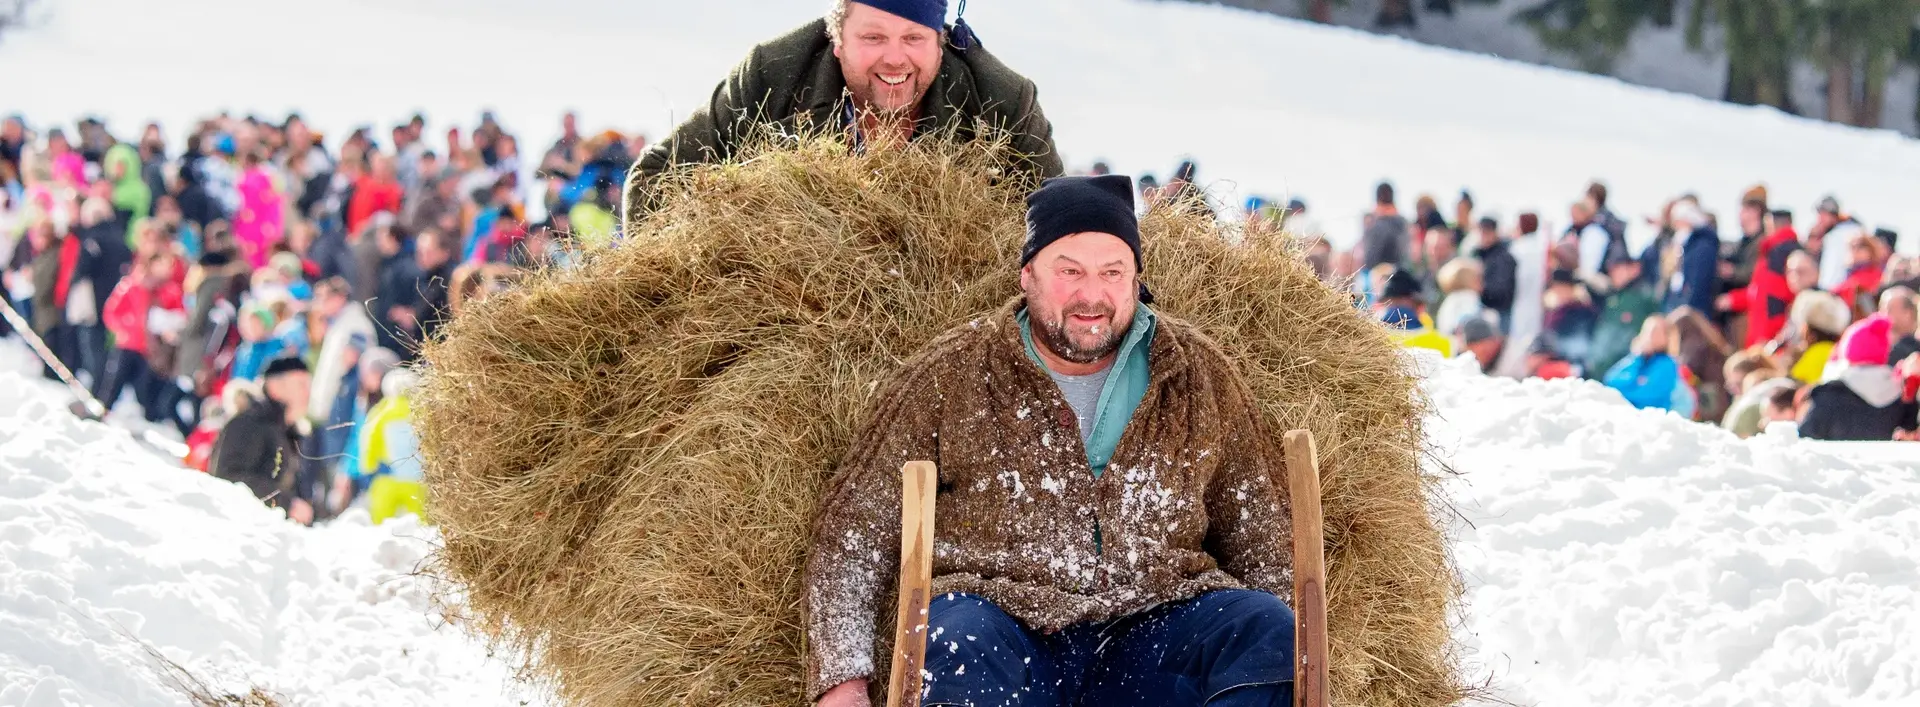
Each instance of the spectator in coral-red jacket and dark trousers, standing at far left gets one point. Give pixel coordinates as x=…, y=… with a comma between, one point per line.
x=149, y=287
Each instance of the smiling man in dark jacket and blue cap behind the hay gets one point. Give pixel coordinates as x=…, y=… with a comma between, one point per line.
x=882, y=70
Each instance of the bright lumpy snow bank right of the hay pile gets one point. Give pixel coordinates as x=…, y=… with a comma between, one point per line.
x=1633, y=558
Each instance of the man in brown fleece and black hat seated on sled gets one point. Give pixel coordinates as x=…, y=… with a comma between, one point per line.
x=1138, y=568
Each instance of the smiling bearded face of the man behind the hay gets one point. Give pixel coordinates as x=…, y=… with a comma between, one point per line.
x=888, y=61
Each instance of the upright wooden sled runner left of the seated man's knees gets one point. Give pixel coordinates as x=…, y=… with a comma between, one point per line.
x=919, y=481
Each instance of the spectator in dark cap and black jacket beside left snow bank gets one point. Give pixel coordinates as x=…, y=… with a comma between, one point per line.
x=262, y=447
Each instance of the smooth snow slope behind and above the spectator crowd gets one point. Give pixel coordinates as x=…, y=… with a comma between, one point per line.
x=1266, y=105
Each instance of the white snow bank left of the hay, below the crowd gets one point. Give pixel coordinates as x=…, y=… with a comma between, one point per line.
x=105, y=547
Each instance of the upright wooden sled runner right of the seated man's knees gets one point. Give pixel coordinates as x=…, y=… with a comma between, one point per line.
x=1310, y=572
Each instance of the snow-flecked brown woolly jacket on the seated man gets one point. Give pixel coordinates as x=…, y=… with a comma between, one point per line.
x=1193, y=500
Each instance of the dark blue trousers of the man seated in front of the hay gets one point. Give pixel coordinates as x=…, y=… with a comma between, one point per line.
x=1228, y=648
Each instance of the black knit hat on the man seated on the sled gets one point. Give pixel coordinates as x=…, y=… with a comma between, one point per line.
x=1065, y=207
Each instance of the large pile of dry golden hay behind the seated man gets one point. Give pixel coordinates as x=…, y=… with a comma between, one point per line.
x=627, y=456
